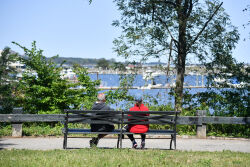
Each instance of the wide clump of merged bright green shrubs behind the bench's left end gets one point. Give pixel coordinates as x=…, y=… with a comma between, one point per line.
x=44, y=91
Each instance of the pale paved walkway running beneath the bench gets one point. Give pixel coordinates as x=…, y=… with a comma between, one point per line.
x=49, y=143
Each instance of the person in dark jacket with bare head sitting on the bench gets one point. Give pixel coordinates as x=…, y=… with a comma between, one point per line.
x=100, y=105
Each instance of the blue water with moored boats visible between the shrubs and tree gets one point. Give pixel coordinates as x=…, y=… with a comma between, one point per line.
x=162, y=95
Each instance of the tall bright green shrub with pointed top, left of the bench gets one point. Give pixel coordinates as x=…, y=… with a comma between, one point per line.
x=44, y=91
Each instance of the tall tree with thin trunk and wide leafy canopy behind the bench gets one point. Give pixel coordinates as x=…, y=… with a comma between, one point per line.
x=179, y=29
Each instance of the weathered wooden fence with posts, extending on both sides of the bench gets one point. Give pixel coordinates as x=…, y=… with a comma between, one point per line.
x=200, y=121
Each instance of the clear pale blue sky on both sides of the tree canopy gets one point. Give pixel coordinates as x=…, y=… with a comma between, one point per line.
x=73, y=28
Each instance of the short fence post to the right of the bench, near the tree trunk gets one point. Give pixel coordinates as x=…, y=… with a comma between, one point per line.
x=201, y=131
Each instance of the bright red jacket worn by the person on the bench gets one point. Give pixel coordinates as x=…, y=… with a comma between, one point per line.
x=138, y=128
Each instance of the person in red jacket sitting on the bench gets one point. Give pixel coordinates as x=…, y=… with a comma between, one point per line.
x=138, y=128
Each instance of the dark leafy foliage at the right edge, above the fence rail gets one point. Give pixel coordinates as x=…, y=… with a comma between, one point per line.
x=228, y=98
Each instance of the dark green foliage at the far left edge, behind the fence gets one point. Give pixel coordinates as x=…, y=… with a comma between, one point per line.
x=7, y=81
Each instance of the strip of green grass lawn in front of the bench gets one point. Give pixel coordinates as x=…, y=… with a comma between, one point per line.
x=121, y=158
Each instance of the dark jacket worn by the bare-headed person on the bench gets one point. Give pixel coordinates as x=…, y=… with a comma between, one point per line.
x=101, y=127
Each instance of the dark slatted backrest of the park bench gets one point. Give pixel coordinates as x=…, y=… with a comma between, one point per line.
x=121, y=117
